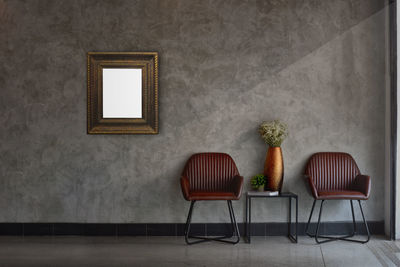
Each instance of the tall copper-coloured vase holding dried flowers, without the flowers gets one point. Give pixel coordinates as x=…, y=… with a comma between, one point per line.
x=273, y=169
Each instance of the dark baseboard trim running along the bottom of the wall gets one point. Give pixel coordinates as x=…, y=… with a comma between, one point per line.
x=174, y=229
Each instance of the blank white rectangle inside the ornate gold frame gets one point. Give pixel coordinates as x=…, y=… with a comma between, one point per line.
x=122, y=93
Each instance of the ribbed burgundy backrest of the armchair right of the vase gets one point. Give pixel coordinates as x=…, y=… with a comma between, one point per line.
x=332, y=170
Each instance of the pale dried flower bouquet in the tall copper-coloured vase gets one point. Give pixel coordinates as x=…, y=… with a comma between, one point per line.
x=273, y=132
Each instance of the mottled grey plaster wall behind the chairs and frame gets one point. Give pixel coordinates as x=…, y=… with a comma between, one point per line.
x=225, y=66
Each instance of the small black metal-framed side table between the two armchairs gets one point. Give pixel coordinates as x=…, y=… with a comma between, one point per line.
x=288, y=195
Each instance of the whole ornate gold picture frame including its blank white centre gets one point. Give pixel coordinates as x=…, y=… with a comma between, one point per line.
x=122, y=93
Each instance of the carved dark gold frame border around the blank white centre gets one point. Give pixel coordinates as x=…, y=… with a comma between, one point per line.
x=148, y=62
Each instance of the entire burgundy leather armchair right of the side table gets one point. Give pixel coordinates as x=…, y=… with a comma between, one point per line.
x=335, y=176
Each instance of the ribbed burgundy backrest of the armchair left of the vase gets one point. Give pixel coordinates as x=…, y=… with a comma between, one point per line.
x=210, y=171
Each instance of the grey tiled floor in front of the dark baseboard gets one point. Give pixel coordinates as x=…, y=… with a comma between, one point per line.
x=172, y=251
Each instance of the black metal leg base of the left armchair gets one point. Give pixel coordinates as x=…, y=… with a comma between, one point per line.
x=235, y=229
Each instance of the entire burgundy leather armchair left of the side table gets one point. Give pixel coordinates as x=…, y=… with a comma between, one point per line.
x=211, y=176
